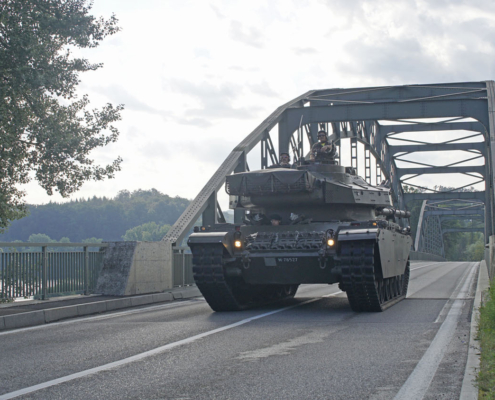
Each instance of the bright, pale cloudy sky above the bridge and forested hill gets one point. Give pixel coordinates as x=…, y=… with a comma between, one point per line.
x=198, y=76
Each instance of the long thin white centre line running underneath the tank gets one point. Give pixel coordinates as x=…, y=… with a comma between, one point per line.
x=141, y=356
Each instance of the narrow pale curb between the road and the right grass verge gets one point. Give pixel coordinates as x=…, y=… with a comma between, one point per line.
x=469, y=390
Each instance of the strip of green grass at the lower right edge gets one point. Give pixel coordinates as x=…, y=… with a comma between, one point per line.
x=486, y=336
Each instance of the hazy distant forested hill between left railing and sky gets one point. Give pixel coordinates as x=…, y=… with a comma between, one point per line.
x=98, y=217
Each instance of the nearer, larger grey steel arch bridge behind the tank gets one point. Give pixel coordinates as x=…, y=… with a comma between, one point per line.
x=387, y=133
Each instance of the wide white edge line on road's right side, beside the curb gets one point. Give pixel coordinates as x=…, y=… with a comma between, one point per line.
x=420, y=379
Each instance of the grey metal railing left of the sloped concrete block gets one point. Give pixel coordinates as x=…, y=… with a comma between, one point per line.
x=45, y=273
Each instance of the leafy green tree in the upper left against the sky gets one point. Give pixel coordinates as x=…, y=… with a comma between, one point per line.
x=46, y=131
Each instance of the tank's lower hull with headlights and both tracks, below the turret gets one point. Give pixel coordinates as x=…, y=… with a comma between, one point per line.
x=369, y=260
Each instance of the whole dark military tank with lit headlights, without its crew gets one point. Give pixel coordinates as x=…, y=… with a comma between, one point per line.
x=335, y=228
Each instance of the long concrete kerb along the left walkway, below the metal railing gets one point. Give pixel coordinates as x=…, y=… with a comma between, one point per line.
x=40, y=317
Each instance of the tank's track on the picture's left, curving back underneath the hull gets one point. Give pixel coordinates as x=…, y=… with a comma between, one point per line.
x=230, y=294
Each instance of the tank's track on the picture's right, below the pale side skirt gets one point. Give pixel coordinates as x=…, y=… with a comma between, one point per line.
x=365, y=289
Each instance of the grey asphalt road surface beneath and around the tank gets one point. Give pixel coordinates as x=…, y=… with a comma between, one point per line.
x=310, y=347
